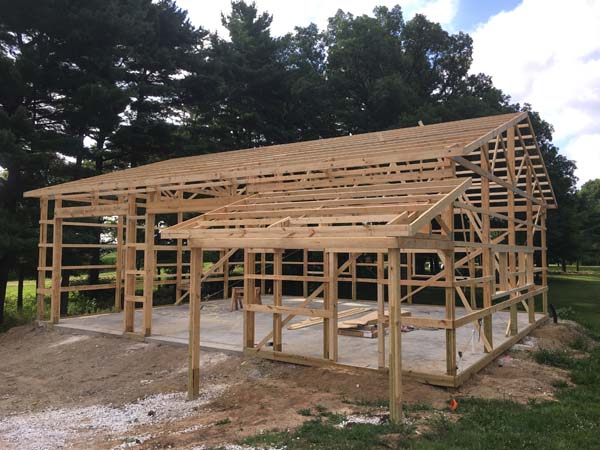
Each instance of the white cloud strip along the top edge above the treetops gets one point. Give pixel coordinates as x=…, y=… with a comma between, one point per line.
x=290, y=13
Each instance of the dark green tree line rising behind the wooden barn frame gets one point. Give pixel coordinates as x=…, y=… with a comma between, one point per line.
x=101, y=85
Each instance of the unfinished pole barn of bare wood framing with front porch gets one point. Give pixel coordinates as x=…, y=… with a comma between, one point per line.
x=445, y=224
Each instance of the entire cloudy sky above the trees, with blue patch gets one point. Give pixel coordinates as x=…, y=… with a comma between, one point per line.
x=542, y=52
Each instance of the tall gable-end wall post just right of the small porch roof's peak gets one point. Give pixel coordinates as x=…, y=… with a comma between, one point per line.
x=487, y=260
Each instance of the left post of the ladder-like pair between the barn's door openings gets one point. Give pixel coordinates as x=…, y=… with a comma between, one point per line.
x=130, y=264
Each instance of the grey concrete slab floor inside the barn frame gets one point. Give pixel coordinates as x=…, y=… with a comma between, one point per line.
x=422, y=349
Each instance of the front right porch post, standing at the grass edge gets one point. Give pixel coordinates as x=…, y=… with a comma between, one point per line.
x=395, y=357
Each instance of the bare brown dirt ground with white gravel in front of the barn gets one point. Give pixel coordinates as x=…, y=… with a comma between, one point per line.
x=95, y=392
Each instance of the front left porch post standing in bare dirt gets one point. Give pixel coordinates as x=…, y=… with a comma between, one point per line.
x=196, y=261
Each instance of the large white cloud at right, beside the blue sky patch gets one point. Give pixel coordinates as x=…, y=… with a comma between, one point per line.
x=548, y=54
